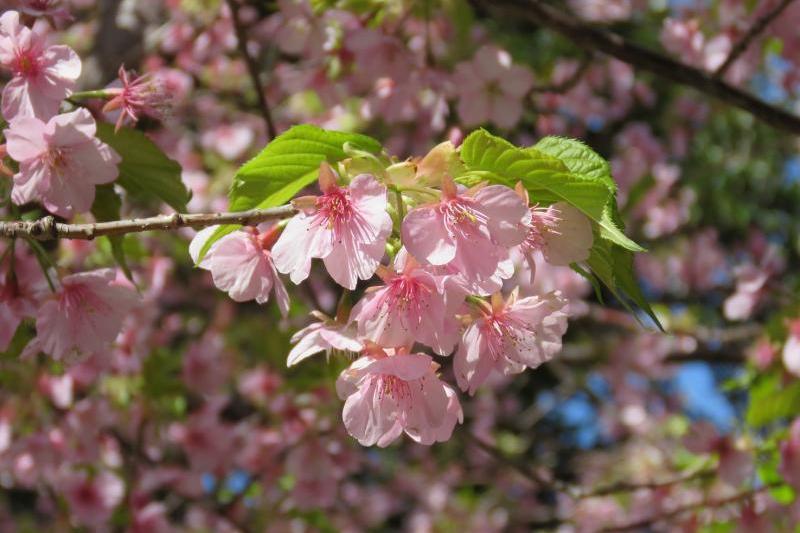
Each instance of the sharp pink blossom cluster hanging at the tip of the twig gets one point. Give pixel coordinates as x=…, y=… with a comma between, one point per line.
x=439, y=250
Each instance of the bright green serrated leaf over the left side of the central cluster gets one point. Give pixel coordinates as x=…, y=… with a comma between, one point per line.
x=288, y=164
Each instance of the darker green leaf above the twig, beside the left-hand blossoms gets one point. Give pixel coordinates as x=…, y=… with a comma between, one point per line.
x=145, y=171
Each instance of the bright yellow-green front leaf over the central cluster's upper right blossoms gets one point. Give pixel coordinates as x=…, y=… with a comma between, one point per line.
x=547, y=179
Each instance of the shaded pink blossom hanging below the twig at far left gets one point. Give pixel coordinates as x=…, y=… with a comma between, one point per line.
x=84, y=316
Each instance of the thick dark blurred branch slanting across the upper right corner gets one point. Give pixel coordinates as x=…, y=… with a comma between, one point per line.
x=593, y=39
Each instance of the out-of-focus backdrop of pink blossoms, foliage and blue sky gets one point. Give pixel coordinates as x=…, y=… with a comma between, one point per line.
x=200, y=425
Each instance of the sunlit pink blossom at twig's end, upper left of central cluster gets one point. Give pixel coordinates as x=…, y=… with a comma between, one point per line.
x=347, y=228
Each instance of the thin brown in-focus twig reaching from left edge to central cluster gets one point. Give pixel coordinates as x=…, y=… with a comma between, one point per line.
x=47, y=228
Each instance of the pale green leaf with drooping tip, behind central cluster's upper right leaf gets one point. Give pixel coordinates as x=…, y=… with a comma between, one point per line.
x=583, y=161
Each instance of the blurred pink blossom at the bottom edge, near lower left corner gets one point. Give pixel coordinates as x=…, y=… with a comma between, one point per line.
x=92, y=499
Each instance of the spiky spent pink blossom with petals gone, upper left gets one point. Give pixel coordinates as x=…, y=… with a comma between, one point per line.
x=137, y=95
